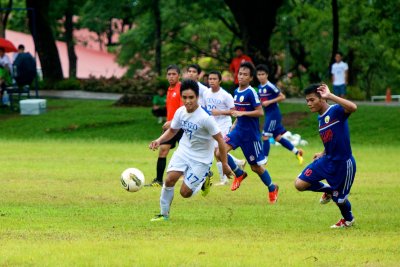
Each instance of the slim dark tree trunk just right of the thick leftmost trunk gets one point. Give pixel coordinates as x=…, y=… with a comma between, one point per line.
x=69, y=39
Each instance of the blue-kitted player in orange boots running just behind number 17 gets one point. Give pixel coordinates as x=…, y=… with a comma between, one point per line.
x=246, y=134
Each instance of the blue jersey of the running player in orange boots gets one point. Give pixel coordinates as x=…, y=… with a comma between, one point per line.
x=247, y=100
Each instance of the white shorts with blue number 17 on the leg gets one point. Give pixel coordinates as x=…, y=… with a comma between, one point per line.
x=194, y=172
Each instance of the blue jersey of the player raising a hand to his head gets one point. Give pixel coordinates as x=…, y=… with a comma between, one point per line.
x=334, y=133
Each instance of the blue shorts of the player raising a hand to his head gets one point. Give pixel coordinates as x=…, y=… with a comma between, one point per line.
x=338, y=173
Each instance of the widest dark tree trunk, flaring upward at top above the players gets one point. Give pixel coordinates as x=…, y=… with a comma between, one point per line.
x=256, y=20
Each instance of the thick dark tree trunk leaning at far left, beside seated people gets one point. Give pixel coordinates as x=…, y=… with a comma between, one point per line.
x=39, y=26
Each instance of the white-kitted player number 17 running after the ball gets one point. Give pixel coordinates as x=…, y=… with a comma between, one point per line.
x=195, y=153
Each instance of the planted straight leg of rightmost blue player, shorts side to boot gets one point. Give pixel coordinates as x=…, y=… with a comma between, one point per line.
x=342, y=191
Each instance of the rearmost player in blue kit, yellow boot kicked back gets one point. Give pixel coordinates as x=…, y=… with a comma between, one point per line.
x=270, y=96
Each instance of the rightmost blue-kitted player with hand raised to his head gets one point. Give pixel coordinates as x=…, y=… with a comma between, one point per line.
x=336, y=163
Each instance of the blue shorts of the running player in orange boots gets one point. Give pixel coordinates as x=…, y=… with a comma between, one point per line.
x=252, y=150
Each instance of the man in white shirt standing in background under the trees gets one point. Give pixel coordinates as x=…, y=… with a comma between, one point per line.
x=339, y=73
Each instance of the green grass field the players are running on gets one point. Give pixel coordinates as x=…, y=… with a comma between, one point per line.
x=61, y=203
